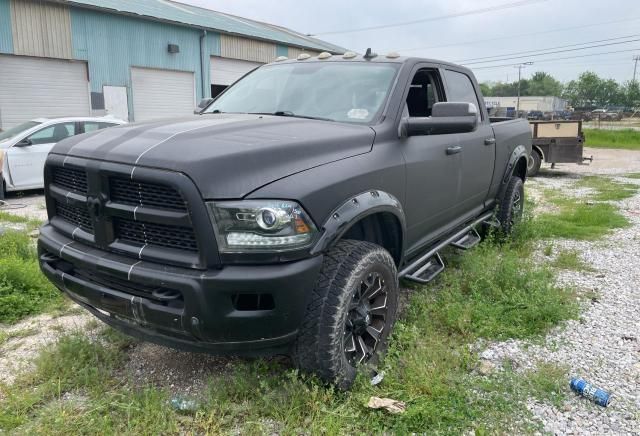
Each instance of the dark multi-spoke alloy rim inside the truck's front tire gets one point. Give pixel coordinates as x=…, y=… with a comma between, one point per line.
x=366, y=319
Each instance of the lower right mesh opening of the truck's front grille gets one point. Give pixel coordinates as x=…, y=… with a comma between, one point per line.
x=161, y=235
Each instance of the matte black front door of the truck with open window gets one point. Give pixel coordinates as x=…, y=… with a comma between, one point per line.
x=433, y=170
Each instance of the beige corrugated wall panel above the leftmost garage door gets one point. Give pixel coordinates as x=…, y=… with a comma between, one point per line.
x=41, y=29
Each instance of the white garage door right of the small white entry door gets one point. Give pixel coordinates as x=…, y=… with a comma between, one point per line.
x=162, y=93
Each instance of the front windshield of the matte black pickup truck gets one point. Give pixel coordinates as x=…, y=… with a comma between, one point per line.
x=336, y=91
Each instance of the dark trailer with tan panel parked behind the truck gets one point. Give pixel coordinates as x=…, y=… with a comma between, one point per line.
x=556, y=142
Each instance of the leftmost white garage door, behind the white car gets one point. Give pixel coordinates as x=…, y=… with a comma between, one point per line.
x=35, y=87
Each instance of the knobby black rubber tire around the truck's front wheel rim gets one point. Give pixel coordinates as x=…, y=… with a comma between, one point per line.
x=320, y=346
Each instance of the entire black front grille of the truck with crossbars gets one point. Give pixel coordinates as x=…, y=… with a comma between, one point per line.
x=128, y=216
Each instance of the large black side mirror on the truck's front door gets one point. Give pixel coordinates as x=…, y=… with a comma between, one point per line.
x=445, y=118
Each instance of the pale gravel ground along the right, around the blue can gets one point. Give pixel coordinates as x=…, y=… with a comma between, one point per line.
x=603, y=346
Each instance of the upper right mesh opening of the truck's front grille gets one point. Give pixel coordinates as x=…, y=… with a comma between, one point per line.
x=127, y=191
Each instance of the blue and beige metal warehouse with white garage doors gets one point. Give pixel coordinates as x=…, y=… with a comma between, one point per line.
x=136, y=60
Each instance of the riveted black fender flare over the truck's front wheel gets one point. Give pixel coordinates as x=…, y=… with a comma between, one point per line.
x=353, y=210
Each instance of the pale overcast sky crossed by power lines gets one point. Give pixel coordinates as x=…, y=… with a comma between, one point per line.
x=530, y=25
